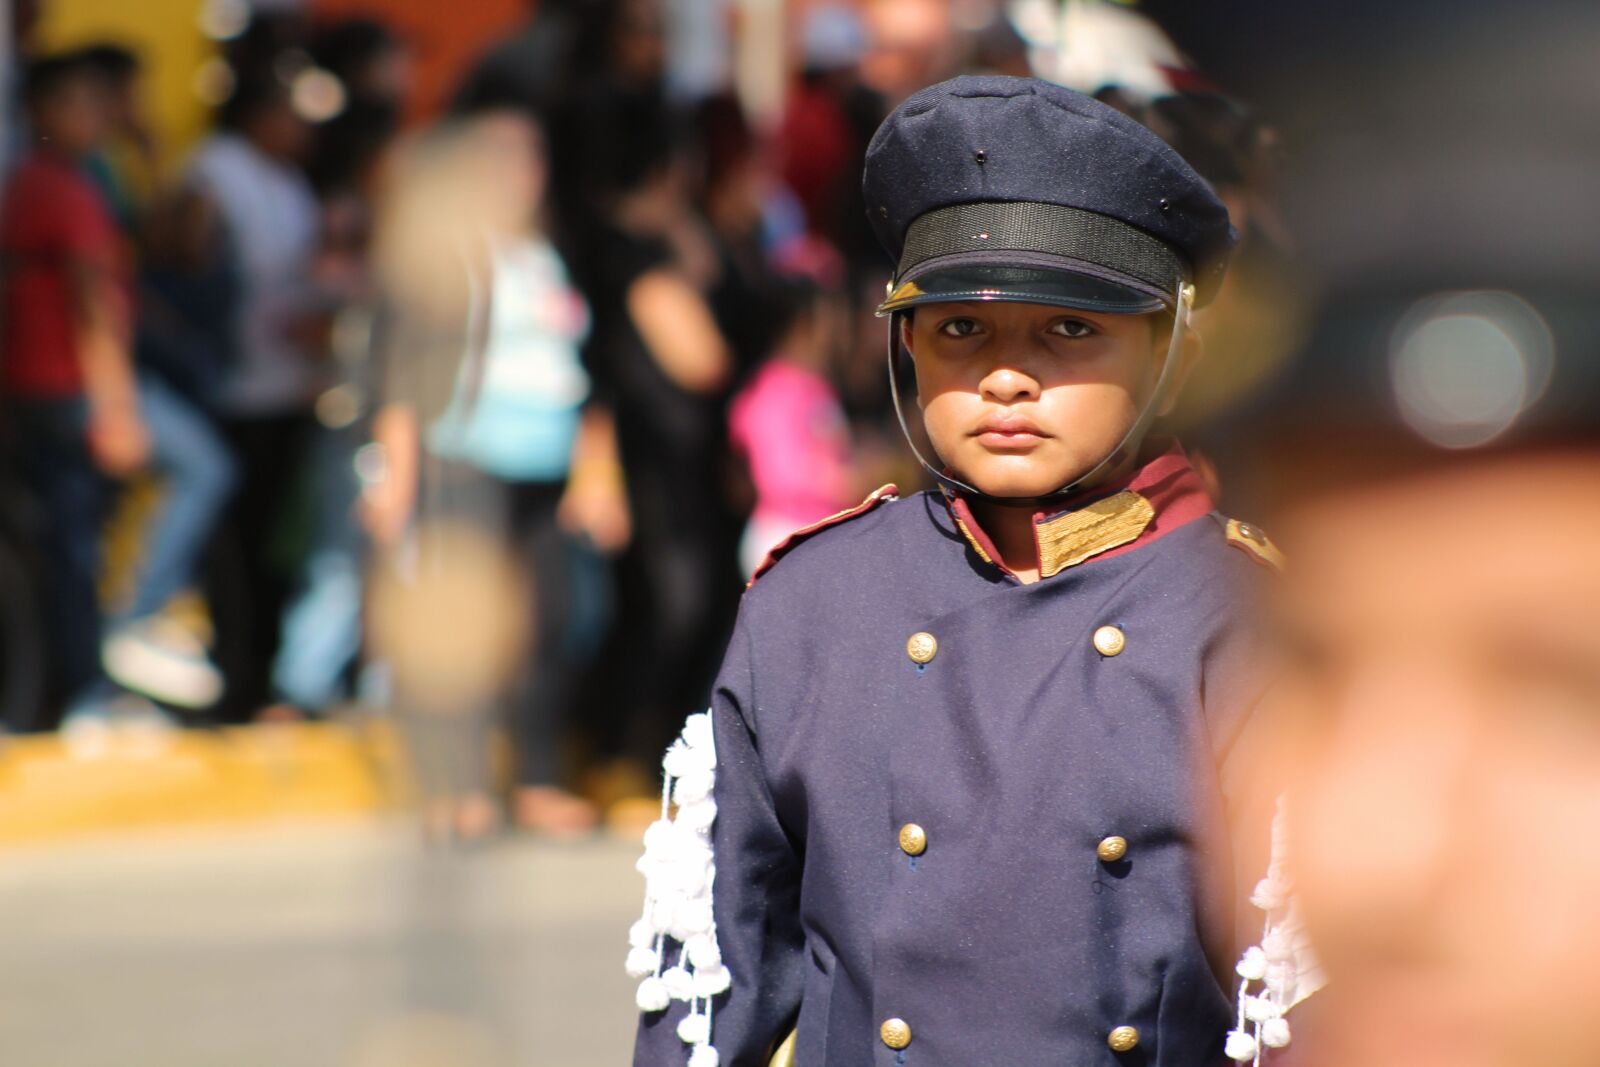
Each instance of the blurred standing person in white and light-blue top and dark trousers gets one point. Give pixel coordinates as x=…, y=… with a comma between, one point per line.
x=486, y=423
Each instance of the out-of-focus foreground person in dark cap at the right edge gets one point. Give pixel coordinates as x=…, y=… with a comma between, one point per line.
x=1436, y=468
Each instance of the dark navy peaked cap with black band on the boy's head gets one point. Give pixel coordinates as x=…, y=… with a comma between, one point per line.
x=1017, y=190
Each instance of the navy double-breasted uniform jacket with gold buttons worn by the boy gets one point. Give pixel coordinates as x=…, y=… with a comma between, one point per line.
x=1018, y=749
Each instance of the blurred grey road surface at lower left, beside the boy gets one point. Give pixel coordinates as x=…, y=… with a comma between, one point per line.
x=318, y=946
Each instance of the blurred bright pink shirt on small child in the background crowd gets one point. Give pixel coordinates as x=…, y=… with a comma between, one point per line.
x=791, y=426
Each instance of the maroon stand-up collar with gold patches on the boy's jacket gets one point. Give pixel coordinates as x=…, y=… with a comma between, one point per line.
x=1169, y=484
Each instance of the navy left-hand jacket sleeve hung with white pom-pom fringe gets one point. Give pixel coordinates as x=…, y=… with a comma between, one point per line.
x=754, y=879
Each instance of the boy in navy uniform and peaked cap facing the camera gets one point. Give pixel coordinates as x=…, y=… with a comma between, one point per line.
x=967, y=767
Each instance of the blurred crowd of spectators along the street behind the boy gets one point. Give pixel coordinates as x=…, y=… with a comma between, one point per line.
x=482, y=423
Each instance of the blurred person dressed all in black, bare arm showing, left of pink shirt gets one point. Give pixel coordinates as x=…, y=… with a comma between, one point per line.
x=663, y=367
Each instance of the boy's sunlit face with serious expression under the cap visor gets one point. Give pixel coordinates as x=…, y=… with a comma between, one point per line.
x=1022, y=399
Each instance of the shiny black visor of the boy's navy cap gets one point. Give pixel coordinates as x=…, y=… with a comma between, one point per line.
x=1081, y=287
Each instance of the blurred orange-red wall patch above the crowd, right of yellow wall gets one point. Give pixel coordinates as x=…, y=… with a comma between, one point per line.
x=446, y=36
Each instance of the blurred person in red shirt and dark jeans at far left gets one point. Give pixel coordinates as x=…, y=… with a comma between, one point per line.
x=70, y=382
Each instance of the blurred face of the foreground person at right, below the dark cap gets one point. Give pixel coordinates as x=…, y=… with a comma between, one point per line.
x=1447, y=743
